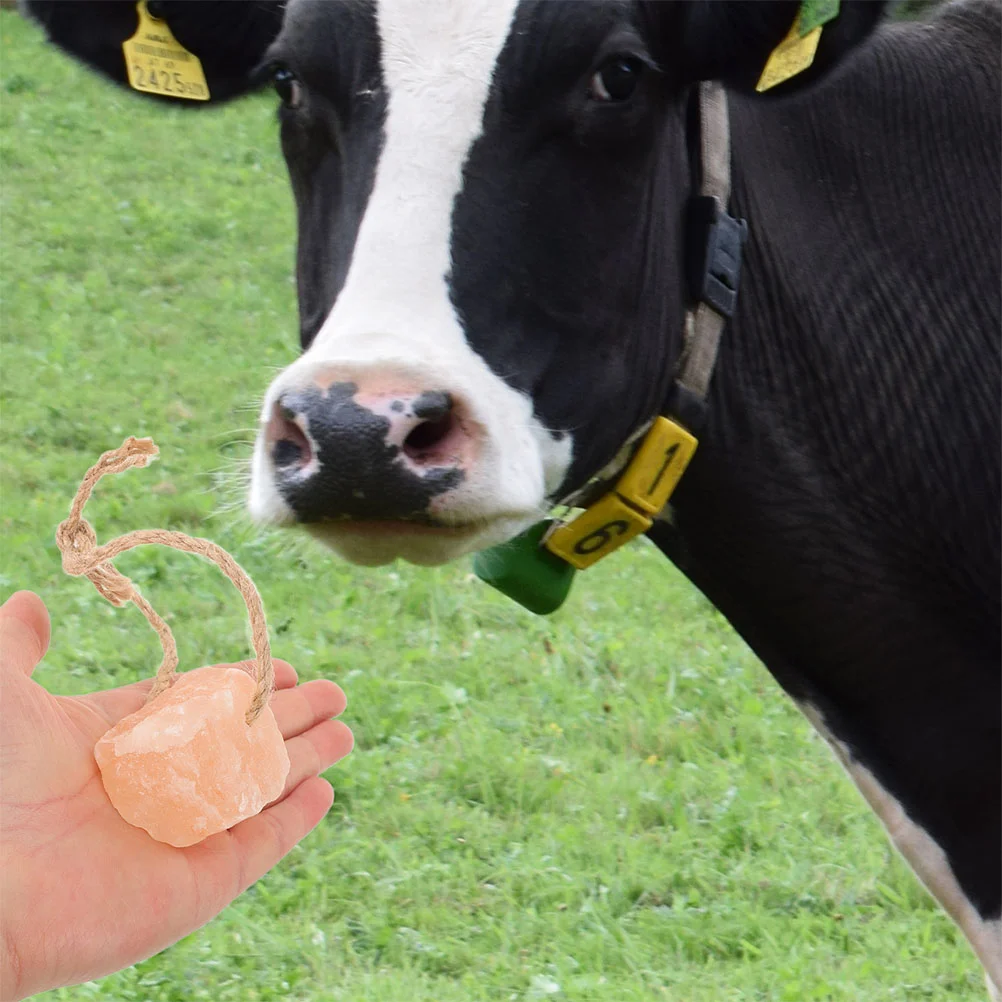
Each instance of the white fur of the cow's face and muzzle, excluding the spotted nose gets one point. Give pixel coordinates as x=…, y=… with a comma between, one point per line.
x=394, y=319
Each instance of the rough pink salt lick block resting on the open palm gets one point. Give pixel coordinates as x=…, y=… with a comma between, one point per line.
x=189, y=765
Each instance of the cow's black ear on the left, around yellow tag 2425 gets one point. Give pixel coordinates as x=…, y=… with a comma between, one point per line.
x=229, y=37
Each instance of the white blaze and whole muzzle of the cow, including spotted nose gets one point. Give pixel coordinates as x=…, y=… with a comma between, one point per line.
x=447, y=457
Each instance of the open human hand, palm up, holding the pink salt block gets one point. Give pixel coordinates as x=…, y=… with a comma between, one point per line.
x=83, y=893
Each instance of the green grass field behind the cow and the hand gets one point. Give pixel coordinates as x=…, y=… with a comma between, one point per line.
x=614, y=804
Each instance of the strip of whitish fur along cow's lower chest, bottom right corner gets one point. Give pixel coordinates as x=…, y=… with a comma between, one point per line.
x=923, y=854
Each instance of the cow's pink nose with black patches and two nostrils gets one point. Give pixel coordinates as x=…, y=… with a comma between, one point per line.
x=345, y=452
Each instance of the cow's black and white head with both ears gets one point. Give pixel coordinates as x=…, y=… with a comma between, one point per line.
x=490, y=198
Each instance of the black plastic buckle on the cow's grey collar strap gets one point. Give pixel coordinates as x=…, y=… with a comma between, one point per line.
x=715, y=252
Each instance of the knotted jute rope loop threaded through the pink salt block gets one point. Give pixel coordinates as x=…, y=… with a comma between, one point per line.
x=82, y=557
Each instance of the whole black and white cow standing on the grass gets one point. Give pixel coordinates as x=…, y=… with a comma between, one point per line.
x=491, y=198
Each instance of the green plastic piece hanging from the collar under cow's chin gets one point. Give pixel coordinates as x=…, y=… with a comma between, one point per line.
x=527, y=572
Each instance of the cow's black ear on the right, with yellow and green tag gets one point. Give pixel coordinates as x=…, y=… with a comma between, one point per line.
x=734, y=42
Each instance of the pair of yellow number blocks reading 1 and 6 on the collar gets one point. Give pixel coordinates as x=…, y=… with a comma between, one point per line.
x=629, y=510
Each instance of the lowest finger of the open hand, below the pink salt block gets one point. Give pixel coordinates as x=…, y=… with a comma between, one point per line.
x=262, y=841
